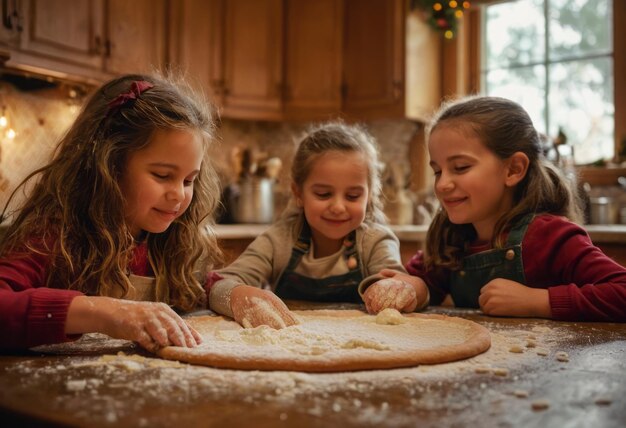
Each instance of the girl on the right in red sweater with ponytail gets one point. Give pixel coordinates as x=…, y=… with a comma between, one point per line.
x=506, y=239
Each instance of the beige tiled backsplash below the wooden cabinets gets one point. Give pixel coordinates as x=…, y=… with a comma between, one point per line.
x=40, y=117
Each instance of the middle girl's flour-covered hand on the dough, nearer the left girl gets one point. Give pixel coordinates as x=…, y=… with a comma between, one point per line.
x=253, y=307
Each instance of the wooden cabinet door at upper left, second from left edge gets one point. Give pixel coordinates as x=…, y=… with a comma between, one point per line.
x=70, y=30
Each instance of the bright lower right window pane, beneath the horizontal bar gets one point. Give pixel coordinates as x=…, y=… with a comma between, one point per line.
x=581, y=103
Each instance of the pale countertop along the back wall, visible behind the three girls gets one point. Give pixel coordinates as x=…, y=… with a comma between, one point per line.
x=600, y=233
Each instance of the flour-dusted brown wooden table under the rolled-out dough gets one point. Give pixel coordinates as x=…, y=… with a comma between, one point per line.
x=101, y=388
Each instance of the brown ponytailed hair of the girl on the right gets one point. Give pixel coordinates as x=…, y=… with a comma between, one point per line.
x=505, y=128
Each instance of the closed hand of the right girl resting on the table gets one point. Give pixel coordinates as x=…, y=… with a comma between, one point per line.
x=510, y=298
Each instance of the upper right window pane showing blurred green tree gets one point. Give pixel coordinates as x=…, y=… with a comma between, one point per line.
x=579, y=27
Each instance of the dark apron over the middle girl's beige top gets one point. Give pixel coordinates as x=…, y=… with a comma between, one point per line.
x=337, y=288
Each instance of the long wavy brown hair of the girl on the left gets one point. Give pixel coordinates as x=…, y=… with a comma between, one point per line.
x=74, y=212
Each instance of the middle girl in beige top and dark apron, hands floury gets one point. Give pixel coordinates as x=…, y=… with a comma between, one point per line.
x=331, y=245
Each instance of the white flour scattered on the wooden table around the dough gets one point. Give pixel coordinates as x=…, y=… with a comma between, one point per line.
x=119, y=385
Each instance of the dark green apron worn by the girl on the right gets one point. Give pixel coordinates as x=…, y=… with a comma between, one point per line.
x=480, y=268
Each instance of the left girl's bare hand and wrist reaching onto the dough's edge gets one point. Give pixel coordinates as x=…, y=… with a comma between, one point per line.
x=153, y=325
